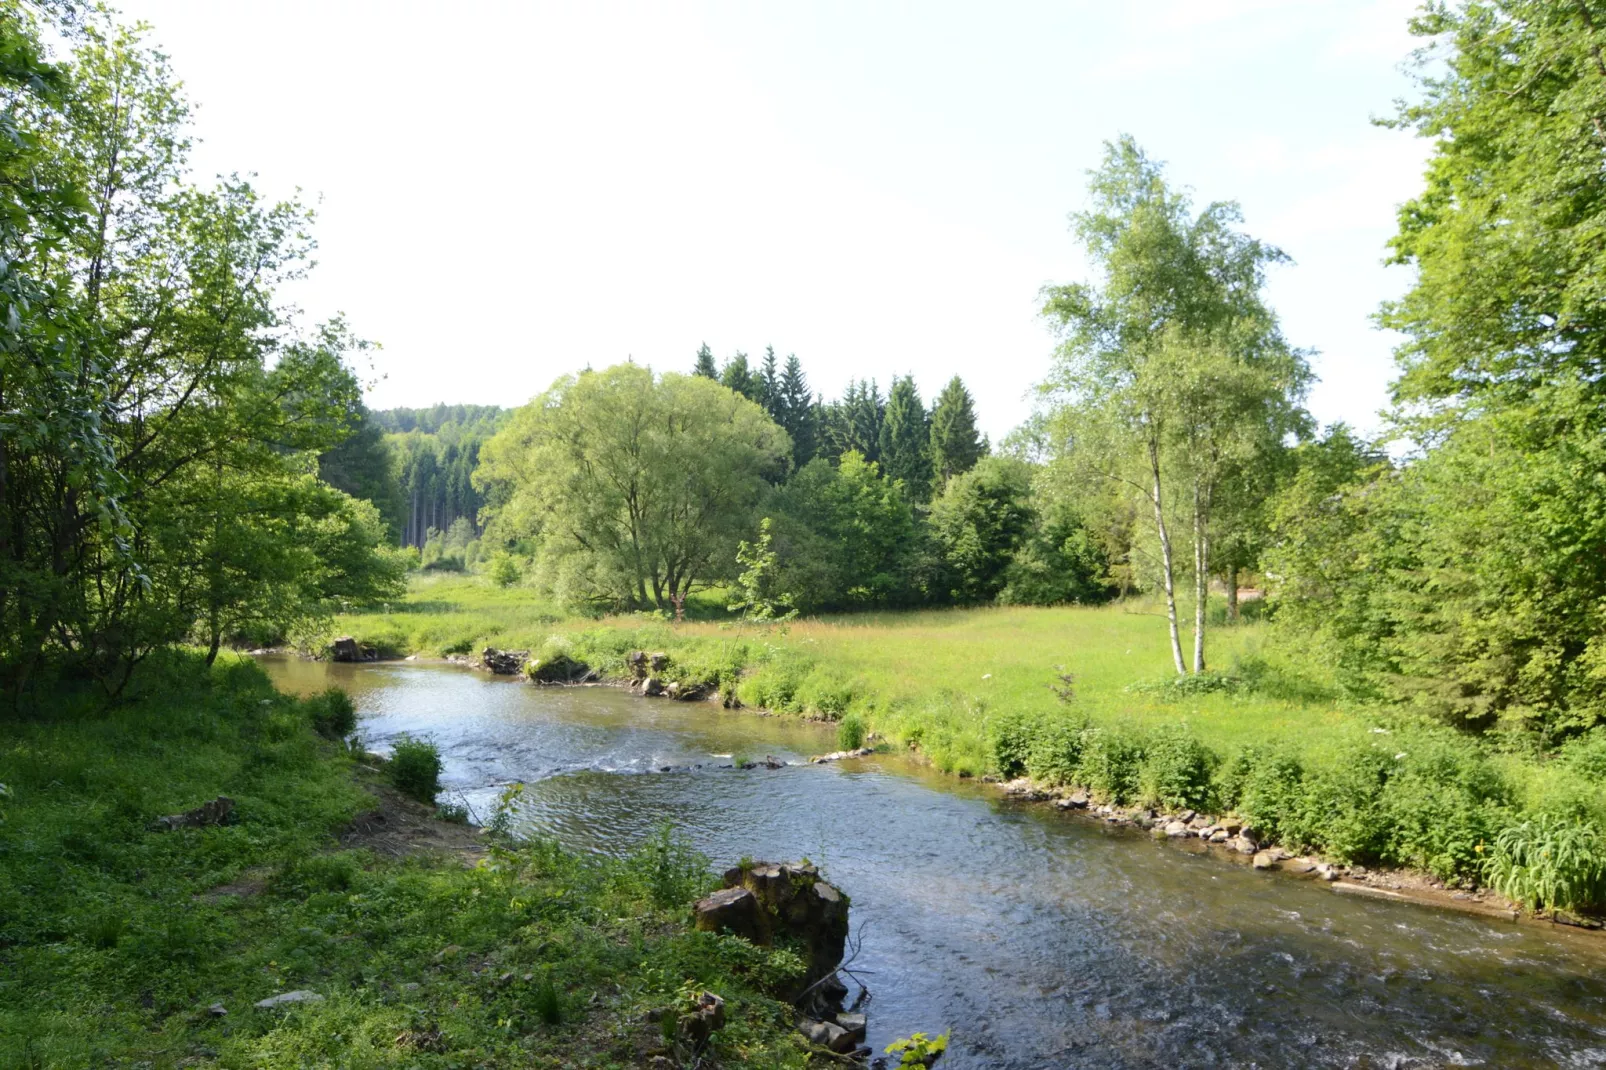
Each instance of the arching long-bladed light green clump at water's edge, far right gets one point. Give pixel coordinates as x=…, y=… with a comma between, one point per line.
x=1549, y=862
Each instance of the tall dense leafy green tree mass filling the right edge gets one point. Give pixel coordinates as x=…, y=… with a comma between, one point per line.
x=1469, y=581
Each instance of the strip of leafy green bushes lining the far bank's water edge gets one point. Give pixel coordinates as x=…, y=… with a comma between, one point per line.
x=1403, y=794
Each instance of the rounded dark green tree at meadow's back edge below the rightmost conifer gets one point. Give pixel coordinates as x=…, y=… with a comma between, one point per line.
x=980, y=521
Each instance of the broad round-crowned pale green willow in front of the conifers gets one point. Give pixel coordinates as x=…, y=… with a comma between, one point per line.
x=638, y=488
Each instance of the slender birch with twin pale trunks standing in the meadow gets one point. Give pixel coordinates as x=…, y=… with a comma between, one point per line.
x=1172, y=370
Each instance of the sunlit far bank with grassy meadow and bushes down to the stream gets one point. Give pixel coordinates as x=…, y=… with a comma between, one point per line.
x=1082, y=698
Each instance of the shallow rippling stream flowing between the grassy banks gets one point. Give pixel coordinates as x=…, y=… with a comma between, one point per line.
x=1040, y=939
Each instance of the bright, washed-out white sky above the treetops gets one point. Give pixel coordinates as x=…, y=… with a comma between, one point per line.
x=510, y=192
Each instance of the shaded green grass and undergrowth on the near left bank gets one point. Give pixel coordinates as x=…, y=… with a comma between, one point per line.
x=116, y=941
